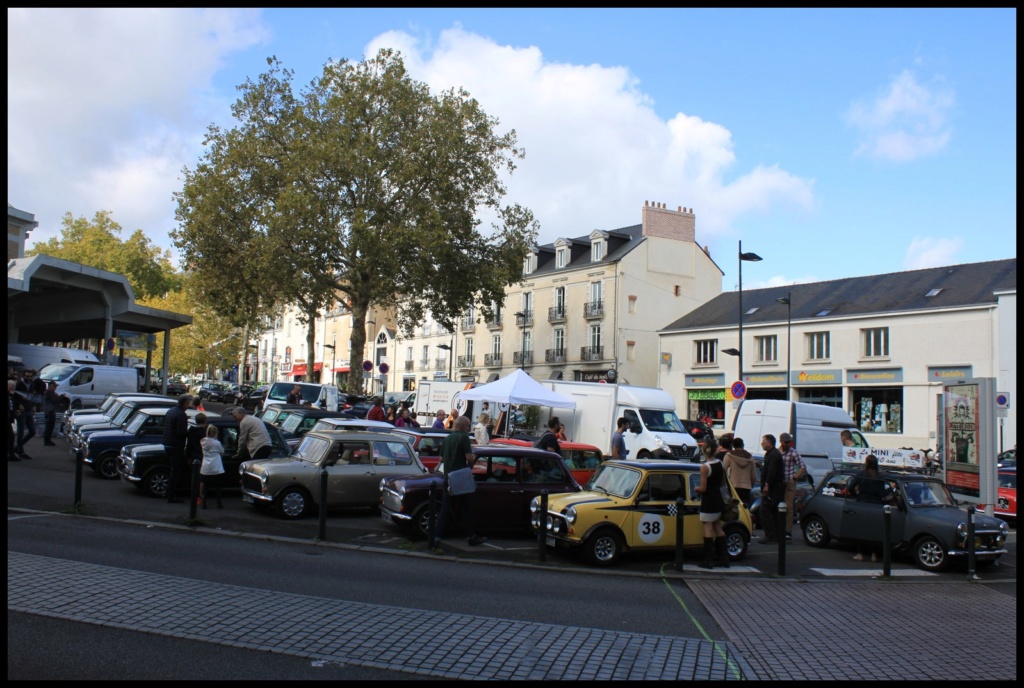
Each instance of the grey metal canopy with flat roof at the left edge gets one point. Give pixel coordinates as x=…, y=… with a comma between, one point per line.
x=55, y=300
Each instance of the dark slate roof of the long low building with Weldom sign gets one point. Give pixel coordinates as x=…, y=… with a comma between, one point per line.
x=966, y=285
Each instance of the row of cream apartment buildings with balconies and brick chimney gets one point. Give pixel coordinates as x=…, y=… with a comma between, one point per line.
x=589, y=309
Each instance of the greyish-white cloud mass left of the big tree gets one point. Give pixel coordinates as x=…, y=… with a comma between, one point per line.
x=106, y=106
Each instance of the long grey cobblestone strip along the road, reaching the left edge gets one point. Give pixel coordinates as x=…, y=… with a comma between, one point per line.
x=368, y=635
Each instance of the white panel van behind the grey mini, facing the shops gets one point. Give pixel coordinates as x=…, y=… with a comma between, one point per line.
x=816, y=431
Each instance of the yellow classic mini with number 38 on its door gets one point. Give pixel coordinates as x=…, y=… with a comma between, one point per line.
x=632, y=505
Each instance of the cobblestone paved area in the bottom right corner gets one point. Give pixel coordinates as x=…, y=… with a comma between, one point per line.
x=868, y=630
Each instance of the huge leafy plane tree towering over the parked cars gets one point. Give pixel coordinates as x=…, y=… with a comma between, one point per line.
x=364, y=187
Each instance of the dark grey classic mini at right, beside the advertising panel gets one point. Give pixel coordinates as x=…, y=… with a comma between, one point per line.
x=926, y=522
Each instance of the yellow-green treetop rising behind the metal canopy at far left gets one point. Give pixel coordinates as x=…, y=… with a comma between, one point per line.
x=98, y=244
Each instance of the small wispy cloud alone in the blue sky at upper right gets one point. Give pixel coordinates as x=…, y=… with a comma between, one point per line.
x=906, y=122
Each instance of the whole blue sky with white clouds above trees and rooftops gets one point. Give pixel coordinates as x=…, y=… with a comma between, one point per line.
x=832, y=143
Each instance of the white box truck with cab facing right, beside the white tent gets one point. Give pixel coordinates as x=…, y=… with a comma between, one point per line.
x=655, y=429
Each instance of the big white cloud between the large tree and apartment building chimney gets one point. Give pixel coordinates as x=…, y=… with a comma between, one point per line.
x=595, y=148
